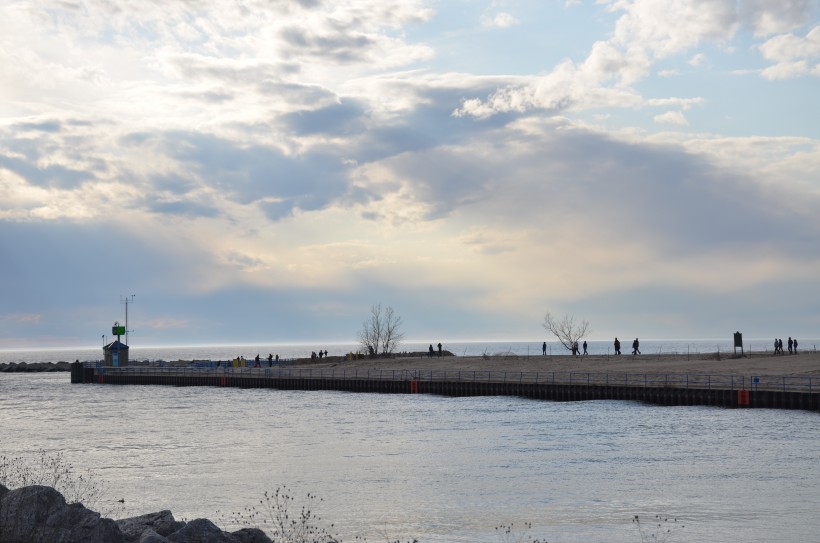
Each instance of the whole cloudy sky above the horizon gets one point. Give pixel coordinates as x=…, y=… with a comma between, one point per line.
x=269, y=170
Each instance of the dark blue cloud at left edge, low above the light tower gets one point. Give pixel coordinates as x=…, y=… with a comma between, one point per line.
x=73, y=274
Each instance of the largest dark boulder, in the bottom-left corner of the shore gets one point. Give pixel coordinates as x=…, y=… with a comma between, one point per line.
x=40, y=513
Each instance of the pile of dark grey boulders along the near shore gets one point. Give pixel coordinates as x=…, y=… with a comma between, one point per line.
x=40, y=513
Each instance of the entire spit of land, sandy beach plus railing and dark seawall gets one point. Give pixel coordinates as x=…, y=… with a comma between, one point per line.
x=755, y=380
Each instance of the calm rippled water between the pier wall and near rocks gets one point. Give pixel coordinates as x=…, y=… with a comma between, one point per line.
x=439, y=469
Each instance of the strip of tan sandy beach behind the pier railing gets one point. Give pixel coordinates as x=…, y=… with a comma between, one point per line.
x=802, y=364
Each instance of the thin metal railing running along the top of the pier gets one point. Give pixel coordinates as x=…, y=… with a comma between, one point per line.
x=641, y=380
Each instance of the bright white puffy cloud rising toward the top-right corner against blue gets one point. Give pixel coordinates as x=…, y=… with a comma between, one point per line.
x=645, y=33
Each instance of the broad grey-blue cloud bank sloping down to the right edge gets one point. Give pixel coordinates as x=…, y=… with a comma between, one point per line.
x=662, y=195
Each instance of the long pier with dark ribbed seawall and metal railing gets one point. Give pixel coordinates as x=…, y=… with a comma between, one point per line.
x=731, y=391
